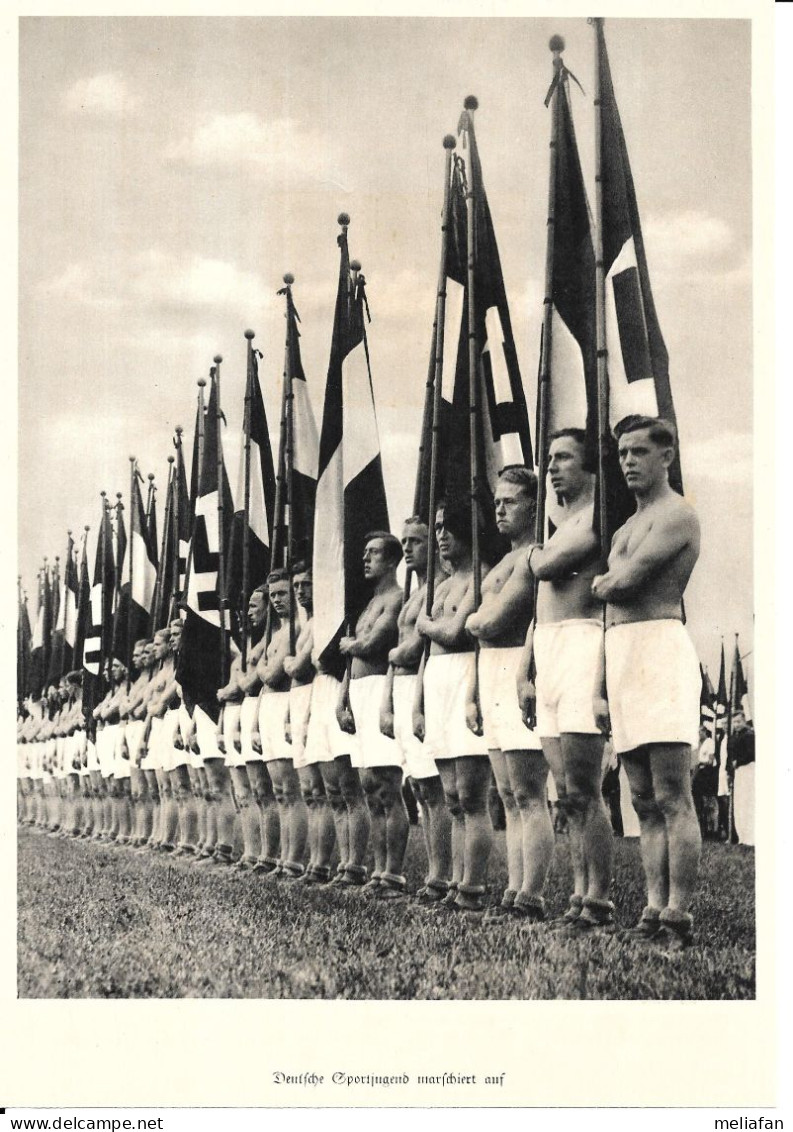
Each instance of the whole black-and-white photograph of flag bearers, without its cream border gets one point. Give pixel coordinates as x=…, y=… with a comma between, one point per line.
x=386, y=619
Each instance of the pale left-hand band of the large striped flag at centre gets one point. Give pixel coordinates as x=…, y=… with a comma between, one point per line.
x=329, y=561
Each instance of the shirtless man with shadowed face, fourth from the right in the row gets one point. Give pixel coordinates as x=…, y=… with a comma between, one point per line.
x=460, y=754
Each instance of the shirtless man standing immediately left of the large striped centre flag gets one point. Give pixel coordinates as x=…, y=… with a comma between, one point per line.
x=301, y=672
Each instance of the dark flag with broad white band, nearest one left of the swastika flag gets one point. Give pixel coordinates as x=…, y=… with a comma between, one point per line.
x=139, y=579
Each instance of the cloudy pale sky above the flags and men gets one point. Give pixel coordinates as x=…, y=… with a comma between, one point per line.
x=171, y=170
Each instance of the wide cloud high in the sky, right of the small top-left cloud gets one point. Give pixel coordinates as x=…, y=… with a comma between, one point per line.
x=279, y=149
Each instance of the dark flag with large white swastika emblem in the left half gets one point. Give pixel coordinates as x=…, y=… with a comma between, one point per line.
x=201, y=663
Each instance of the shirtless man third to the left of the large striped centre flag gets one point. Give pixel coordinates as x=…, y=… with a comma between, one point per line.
x=261, y=821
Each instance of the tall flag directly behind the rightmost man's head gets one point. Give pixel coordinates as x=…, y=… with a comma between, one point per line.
x=637, y=359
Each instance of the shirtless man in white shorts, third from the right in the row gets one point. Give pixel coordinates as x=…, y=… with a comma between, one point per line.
x=501, y=625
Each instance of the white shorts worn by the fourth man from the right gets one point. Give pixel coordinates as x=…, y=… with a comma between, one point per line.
x=447, y=678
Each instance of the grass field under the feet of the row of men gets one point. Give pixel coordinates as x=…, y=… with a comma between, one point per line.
x=105, y=923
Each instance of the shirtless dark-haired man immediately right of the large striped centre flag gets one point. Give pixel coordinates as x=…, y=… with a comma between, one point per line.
x=376, y=756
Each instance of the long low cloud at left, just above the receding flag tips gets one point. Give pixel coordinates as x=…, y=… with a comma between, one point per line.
x=160, y=279
